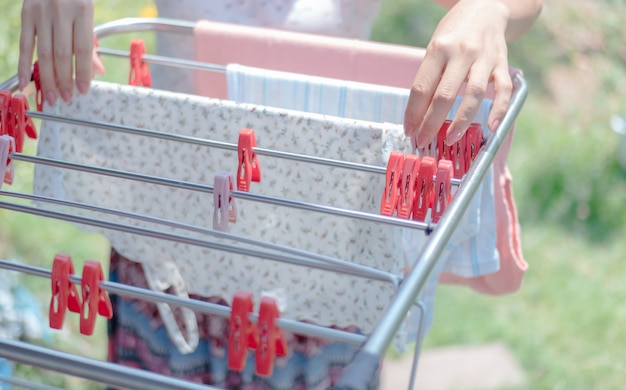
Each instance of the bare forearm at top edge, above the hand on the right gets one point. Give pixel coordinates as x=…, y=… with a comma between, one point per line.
x=520, y=14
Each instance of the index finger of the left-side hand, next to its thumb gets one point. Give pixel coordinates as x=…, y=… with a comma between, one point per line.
x=84, y=46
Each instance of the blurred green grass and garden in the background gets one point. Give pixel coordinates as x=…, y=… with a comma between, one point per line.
x=565, y=325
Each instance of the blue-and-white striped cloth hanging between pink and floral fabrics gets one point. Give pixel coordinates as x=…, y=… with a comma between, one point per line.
x=472, y=249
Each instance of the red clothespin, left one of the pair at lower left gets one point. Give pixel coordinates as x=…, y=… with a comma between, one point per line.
x=64, y=293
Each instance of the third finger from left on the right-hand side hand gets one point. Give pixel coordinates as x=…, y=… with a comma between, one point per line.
x=474, y=92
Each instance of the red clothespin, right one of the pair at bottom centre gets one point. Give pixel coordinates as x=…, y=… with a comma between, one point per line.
x=271, y=341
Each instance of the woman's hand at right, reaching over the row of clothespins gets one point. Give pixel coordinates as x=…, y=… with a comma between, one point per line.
x=469, y=46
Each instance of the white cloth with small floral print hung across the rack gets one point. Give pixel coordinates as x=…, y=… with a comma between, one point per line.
x=325, y=298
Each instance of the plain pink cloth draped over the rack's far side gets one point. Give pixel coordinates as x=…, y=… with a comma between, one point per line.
x=362, y=61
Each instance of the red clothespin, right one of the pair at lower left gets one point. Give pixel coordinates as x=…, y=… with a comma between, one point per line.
x=95, y=300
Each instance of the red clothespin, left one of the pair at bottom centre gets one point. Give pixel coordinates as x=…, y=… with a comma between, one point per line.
x=242, y=335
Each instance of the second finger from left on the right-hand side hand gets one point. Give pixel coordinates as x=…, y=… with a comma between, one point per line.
x=441, y=103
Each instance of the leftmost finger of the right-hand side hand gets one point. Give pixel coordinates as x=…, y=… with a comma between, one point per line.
x=422, y=90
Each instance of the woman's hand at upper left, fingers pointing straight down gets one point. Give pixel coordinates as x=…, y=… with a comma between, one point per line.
x=63, y=30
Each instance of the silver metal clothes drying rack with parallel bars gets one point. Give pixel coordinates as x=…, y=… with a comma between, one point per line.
x=372, y=346
